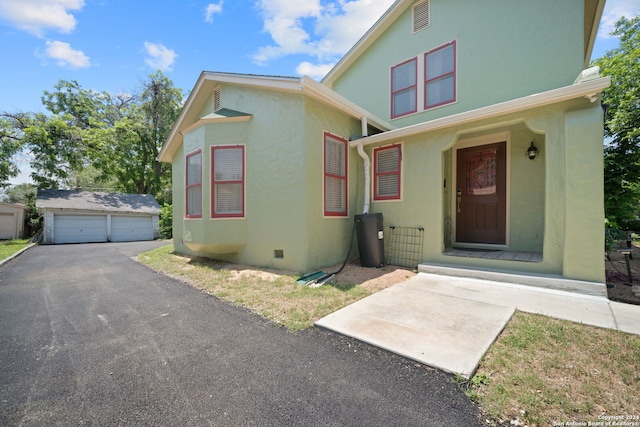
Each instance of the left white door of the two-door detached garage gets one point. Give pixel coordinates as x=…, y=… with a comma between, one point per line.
x=79, y=228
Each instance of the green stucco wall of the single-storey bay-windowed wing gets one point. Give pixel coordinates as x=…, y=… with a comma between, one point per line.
x=284, y=184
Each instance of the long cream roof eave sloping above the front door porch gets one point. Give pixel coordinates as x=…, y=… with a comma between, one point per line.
x=589, y=89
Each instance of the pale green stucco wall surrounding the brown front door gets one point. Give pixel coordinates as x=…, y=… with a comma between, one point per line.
x=554, y=203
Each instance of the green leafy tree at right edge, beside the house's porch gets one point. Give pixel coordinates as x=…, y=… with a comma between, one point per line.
x=622, y=126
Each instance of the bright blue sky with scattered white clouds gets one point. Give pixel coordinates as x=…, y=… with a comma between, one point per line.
x=113, y=45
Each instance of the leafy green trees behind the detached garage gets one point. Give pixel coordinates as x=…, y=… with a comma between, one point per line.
x=93, y=140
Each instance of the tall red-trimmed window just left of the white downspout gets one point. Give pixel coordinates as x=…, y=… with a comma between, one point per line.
x=335, y=175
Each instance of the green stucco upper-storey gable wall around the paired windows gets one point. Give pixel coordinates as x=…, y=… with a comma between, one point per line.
x=506, y=49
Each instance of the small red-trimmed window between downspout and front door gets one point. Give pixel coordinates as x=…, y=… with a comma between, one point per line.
x=386, y=172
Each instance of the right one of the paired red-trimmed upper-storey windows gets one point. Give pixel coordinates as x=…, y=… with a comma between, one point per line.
x=440, y=76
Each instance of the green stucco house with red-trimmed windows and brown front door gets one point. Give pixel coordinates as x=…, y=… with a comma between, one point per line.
x=477, y=126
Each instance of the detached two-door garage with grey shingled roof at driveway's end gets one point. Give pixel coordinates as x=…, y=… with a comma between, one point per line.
x=89, y=217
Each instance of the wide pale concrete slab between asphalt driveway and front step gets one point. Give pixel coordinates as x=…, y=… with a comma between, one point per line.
x=438, y=330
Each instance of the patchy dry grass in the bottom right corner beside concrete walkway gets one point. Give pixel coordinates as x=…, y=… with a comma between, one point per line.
x=543, y=371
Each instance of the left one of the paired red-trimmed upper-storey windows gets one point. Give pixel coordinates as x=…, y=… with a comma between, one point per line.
x=404, y=88
